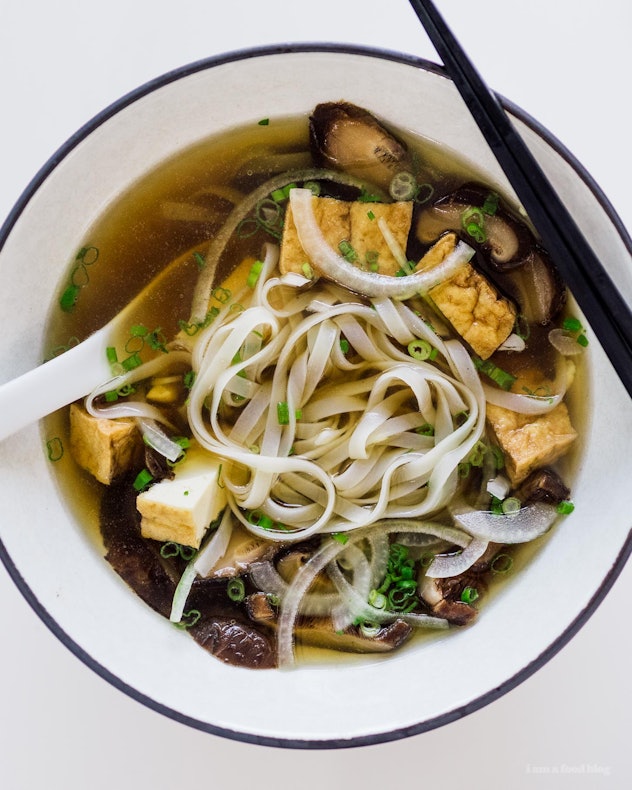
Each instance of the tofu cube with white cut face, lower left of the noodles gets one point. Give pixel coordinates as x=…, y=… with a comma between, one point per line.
x=181, y=509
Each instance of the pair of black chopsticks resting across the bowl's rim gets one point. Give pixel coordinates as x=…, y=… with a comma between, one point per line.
x=604, y=307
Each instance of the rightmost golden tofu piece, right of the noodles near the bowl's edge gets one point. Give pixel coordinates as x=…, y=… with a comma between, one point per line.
x=530, y=442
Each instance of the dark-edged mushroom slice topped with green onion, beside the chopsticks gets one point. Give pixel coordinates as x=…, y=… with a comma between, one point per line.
x=504, y=241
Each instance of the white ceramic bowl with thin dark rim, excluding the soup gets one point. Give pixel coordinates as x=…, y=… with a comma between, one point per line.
x=71, y=587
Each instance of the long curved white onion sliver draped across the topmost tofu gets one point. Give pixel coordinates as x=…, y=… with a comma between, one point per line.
x=333, y=266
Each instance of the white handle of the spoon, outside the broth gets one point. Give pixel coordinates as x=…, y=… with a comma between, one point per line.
x=54, y=384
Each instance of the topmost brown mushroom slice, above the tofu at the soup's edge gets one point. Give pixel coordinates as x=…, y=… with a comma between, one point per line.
x=348, y=138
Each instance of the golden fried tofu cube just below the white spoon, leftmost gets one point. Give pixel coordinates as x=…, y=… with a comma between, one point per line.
x=103, y=447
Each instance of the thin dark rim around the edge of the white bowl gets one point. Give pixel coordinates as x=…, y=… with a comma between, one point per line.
x=92, y=663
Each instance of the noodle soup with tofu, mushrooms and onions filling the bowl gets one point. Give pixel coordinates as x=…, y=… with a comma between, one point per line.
x=351, y=565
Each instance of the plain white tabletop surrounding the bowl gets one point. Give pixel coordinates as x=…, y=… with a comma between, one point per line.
x=568, y=64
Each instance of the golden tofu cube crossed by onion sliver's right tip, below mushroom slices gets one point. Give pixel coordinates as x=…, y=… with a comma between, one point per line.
x=472, y=305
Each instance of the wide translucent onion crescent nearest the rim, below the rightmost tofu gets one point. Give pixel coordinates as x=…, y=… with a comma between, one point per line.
x=528, y=524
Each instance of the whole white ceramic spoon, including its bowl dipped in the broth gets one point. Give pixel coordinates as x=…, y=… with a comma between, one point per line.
x=76, y=372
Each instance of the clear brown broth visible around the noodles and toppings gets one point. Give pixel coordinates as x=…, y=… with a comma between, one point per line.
x=135, y=242
